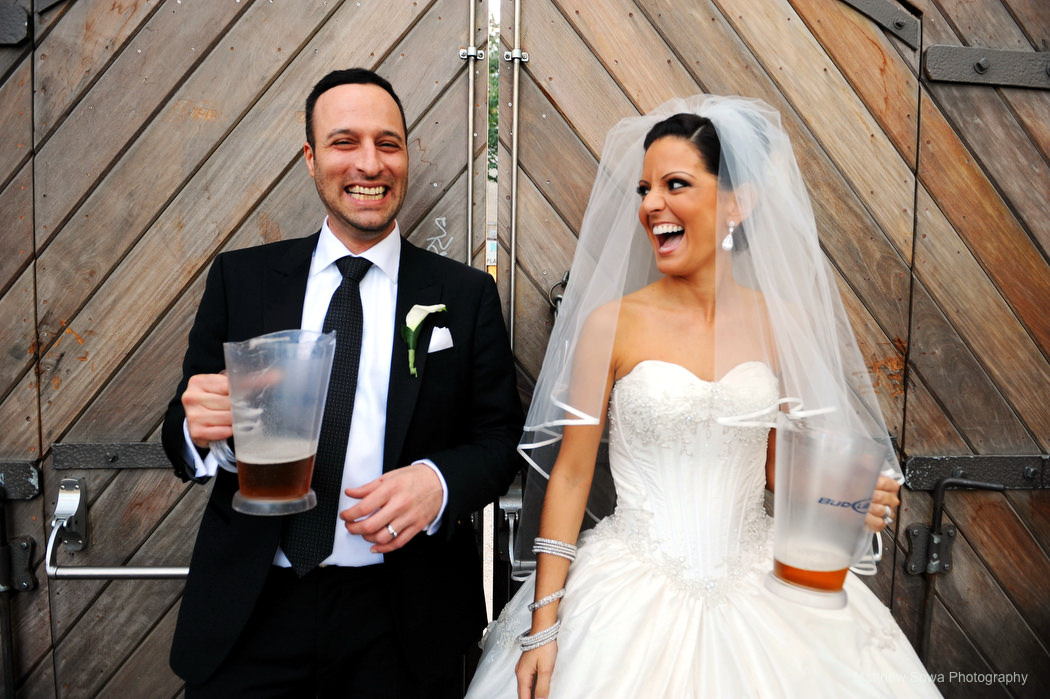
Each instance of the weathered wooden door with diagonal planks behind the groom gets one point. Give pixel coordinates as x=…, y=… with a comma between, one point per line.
x=140, y=140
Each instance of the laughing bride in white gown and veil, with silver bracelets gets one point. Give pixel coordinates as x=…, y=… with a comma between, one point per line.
x=680, y=342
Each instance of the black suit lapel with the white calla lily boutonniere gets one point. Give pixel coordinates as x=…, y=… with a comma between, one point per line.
x=416, y=285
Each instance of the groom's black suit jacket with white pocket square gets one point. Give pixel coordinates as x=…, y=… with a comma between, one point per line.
x=463, y=413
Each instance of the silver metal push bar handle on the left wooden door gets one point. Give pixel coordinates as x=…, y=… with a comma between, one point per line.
x=68, y=526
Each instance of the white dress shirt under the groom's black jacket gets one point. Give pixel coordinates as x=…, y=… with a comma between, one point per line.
x=365, y=449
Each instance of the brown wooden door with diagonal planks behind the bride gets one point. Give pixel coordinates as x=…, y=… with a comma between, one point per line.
x=932, y=205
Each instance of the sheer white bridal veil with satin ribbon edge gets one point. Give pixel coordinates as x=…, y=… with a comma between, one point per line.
x=776, y=300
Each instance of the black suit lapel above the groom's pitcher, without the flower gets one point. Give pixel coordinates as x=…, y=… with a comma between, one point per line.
x=286, y=285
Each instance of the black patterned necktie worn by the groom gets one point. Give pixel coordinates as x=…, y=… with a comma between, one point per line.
x=309, y=536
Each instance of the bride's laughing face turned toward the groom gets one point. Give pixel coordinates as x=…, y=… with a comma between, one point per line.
x=680, y=205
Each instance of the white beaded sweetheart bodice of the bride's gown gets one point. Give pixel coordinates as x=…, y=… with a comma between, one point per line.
x=689, y=490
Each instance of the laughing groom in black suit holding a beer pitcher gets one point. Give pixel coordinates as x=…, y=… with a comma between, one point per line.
x=395, y=596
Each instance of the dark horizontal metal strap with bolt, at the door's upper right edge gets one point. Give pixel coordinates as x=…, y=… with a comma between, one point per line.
x=963, y=65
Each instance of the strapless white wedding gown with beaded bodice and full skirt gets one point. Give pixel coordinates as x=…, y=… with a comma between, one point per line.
x=666, y=598
